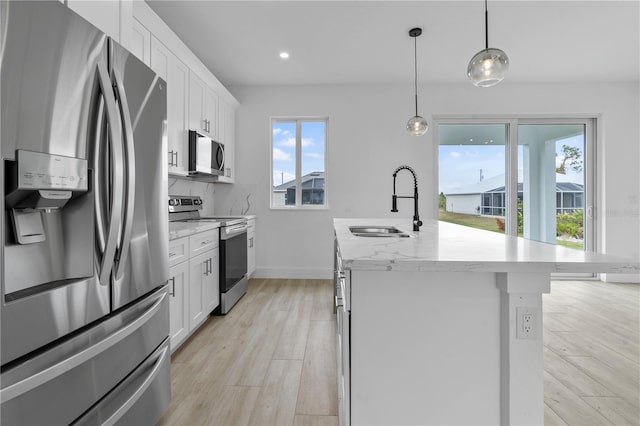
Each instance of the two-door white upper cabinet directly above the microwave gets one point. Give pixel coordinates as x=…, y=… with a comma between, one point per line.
x=203, y=107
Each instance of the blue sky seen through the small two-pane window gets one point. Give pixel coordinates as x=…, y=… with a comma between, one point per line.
x=284, y=149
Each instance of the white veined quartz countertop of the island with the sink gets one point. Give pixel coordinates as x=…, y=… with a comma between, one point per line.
x=442, y=246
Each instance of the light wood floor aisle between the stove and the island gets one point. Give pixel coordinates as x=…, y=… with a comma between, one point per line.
x=270, y=361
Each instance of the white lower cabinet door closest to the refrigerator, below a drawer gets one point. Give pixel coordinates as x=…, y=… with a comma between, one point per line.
x=179, y=303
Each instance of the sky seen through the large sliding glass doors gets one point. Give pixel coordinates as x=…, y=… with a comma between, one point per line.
x=460, y=165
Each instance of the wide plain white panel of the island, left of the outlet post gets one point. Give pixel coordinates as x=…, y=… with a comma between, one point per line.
x=425, y=348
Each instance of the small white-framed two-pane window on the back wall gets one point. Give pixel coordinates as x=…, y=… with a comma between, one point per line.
x=298, y=163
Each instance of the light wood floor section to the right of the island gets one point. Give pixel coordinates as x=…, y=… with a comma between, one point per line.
x=591, y=353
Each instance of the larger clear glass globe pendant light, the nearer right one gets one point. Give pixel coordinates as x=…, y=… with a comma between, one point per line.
x=489, y=66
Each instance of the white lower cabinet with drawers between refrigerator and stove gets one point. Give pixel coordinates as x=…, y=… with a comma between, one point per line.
x=194, y=283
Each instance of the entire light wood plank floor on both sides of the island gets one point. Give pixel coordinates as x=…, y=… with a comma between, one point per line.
x=271, y=360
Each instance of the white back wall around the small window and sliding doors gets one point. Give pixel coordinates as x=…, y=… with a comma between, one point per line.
x=367, y=142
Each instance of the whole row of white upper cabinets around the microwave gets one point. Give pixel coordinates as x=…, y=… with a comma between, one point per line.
x=196, y=100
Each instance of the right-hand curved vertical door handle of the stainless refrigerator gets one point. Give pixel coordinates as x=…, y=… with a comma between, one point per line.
x=125, y=241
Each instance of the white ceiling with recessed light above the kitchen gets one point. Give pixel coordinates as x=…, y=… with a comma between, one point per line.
x=361, y=42
